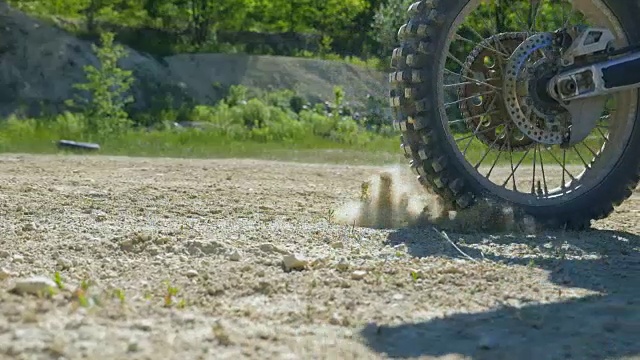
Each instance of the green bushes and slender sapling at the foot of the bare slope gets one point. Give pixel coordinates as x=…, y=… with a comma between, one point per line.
x=99, y=114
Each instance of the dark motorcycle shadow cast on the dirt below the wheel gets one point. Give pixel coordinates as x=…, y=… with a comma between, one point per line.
x=594, y=327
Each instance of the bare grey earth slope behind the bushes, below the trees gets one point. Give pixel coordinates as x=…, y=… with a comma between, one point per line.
x=40, y=63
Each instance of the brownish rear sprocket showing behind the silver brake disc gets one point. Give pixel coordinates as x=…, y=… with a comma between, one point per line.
x=486, y=114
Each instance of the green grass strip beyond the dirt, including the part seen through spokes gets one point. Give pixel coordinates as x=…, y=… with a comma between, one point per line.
x=192, y=143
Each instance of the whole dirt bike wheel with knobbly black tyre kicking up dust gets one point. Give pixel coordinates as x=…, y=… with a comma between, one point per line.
x=424, y=74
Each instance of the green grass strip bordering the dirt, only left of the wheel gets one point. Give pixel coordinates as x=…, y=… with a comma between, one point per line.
x=190, y=143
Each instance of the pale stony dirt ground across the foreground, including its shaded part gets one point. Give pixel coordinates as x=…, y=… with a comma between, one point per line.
x=183, y=259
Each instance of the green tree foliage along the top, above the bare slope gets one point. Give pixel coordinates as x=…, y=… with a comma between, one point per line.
x=362, y=28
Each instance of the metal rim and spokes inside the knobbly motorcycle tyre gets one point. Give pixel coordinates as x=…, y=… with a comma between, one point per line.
x=510, y=171
